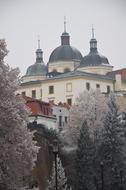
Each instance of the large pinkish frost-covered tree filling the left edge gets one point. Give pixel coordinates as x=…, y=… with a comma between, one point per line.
x=18, y=151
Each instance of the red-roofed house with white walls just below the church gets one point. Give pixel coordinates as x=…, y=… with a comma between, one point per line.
x=48, y=114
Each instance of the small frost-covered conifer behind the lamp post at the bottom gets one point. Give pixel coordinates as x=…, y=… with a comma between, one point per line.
x=61, y=178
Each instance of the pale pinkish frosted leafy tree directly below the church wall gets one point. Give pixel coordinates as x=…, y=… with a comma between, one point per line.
x=90, y=106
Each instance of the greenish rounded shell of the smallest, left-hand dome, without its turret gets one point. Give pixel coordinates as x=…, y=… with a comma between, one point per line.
x=38, y=69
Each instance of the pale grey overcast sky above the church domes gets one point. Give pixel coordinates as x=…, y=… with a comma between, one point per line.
x=21, y=21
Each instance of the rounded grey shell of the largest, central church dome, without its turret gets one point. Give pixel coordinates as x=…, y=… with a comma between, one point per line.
x=65, y=53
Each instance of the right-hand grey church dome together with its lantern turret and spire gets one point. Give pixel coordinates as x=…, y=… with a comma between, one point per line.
x=94, y=58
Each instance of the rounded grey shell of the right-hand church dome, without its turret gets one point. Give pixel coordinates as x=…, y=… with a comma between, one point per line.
x=93, y=59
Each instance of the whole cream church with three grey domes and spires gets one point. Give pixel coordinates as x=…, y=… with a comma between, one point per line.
x=68, y=73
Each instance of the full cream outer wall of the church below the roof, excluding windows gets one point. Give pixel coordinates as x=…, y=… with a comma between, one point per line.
x=61, y=94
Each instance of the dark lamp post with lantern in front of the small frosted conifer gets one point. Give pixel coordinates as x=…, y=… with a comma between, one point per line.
x=55, y=152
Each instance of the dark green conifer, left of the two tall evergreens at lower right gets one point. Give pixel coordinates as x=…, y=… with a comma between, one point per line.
x=84, y=160
